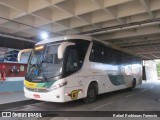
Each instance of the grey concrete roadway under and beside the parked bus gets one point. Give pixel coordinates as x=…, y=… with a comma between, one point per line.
x=144, y=98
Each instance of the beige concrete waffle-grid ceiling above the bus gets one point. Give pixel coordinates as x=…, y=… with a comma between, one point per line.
x=132, y=25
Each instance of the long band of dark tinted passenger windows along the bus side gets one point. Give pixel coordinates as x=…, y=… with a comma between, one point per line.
x=104, y=54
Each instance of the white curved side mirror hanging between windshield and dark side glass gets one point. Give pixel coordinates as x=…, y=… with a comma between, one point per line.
x=62, y=48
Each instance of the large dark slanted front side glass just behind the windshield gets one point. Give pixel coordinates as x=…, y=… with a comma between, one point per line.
x=74, y=56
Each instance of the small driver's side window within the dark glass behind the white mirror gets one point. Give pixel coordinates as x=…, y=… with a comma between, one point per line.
x=72, y=62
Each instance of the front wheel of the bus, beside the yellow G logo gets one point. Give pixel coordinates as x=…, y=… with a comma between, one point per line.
x=91, y=93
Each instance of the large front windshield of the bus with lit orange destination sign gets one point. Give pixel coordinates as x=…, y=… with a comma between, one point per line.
x=44, y=64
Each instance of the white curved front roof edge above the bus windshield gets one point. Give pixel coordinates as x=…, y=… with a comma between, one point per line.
x=67, y=37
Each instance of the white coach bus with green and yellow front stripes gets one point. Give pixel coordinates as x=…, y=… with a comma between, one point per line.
x=73, y=67
